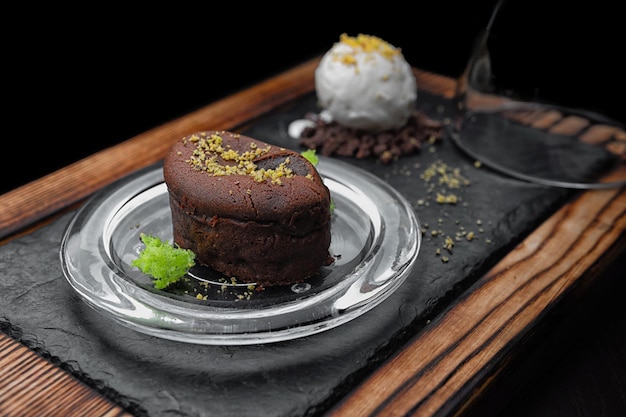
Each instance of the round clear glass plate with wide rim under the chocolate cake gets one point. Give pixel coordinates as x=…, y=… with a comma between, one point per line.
x=375, y=241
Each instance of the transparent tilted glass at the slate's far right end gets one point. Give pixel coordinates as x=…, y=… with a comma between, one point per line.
x=529, y=105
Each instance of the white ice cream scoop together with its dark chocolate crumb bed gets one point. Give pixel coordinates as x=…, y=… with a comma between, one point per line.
x=367, y=92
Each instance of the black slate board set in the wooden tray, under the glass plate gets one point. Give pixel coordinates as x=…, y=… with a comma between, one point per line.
x=303, y=377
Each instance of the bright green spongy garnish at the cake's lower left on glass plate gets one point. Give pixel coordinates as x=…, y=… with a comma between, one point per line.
x=165, y=263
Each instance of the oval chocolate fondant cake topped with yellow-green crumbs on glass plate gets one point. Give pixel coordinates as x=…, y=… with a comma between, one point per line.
x=249, y=210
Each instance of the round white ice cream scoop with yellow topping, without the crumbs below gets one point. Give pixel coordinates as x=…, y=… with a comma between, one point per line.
x=365, y=83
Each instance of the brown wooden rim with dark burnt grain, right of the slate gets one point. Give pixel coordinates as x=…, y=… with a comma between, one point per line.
x=437, y=373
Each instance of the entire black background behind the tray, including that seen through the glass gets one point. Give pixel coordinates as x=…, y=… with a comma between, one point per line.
x=80, y=80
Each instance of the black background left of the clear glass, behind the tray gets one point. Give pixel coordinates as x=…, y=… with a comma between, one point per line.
x=86, y=80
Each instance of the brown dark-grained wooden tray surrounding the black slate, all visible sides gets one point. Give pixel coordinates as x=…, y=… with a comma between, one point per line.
x=443, y=370
